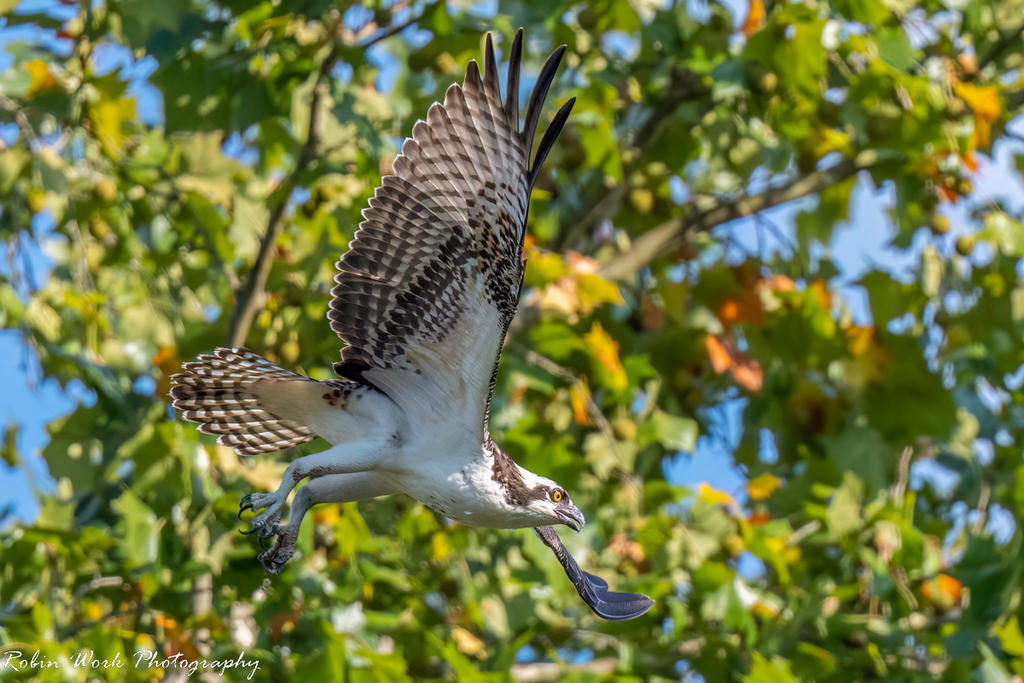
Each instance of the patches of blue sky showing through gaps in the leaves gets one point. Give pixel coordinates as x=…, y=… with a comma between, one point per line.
x=859, y=246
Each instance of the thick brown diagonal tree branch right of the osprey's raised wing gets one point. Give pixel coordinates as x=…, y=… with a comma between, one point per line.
x=702, y=215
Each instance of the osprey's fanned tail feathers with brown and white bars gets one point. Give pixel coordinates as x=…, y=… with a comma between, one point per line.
x=220, y=392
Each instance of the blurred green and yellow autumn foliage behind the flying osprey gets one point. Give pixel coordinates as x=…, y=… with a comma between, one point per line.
x=163, y=155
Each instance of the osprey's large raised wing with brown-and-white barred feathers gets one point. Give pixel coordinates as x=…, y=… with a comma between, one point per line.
x=432, y=280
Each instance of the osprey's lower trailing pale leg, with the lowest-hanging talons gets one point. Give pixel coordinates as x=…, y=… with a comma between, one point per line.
x=328, y=489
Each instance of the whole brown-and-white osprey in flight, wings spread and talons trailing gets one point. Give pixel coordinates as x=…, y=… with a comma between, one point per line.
x=423, y=300
